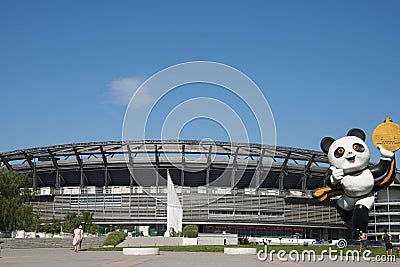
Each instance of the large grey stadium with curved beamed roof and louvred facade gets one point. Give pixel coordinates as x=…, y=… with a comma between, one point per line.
x=241, y=188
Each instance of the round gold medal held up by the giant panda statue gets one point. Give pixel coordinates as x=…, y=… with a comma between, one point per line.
x=387, y=134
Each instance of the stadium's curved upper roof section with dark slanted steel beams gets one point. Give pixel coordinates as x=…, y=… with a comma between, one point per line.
x=190, y=163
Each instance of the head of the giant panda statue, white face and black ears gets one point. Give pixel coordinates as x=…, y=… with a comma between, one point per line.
x=349, y=153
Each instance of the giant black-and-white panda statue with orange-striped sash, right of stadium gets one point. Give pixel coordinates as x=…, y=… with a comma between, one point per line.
x=351, y=177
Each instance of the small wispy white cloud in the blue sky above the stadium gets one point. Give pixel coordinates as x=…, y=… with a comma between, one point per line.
x=124, y=88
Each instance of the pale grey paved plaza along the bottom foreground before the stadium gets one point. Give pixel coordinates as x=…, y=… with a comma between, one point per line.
x=61, y=257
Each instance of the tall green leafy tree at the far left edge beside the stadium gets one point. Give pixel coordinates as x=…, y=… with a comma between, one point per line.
x=15, y=211
